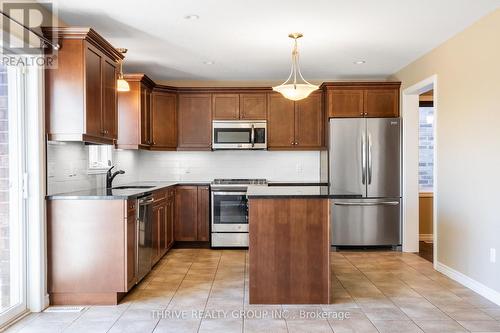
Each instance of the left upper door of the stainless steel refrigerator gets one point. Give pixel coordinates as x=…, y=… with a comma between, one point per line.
x=348, y=155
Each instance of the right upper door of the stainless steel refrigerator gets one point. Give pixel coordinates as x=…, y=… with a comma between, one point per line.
x=383, y=157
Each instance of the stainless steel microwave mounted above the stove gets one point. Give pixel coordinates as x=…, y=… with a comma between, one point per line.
x=239, y=134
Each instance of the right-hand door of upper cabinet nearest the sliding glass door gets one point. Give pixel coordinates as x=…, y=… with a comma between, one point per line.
x=109, y=115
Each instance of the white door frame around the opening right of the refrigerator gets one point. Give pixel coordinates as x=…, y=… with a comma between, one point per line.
x=410, y=108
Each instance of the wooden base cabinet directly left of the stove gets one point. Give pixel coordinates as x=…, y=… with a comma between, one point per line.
x=191, y=213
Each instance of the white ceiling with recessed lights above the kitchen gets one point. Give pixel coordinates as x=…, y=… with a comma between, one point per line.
x=247, y=40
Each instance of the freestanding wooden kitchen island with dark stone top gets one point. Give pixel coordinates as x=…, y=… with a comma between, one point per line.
x=289, y=246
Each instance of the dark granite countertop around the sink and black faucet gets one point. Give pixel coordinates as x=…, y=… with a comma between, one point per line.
x=119, y=194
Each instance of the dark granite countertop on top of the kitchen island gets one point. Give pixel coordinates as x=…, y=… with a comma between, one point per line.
x=276, y=192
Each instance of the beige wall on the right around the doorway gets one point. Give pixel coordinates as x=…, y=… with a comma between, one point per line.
x=468, y=146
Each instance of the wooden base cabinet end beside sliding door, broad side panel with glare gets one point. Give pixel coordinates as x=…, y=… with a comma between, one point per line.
x=91, y=256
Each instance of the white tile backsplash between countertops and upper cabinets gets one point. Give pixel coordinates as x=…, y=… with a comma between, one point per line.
x=67, y=166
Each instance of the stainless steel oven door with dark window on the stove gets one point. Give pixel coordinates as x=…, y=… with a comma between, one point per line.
x=229, y=211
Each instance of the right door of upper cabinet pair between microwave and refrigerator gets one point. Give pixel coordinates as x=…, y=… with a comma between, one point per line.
x=309, y=122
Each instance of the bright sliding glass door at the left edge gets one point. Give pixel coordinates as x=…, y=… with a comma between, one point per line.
x=13, y=252
